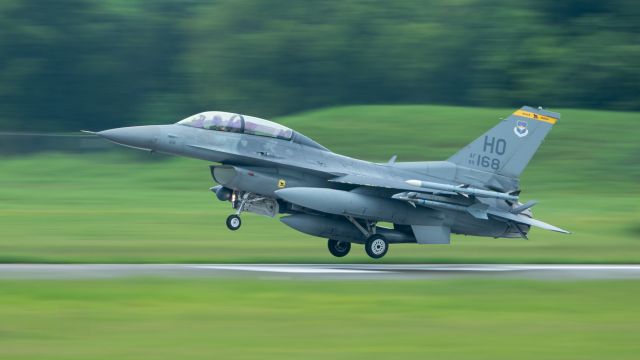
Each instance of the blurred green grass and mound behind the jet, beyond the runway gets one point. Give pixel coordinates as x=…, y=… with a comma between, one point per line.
x=129, y=206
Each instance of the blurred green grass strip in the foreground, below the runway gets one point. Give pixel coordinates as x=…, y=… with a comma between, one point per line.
x=257, y=319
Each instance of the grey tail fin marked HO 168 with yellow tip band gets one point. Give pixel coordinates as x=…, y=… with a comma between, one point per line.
x=507, y=148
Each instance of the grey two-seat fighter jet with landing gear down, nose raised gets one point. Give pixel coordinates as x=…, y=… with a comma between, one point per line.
x=268, y=169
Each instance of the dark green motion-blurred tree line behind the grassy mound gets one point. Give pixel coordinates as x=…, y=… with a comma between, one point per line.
x=71, y=64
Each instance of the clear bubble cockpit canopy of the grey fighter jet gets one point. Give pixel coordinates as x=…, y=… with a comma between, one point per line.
x=229, y=122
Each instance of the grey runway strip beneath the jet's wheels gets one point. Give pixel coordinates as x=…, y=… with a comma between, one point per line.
x=318, y=271
